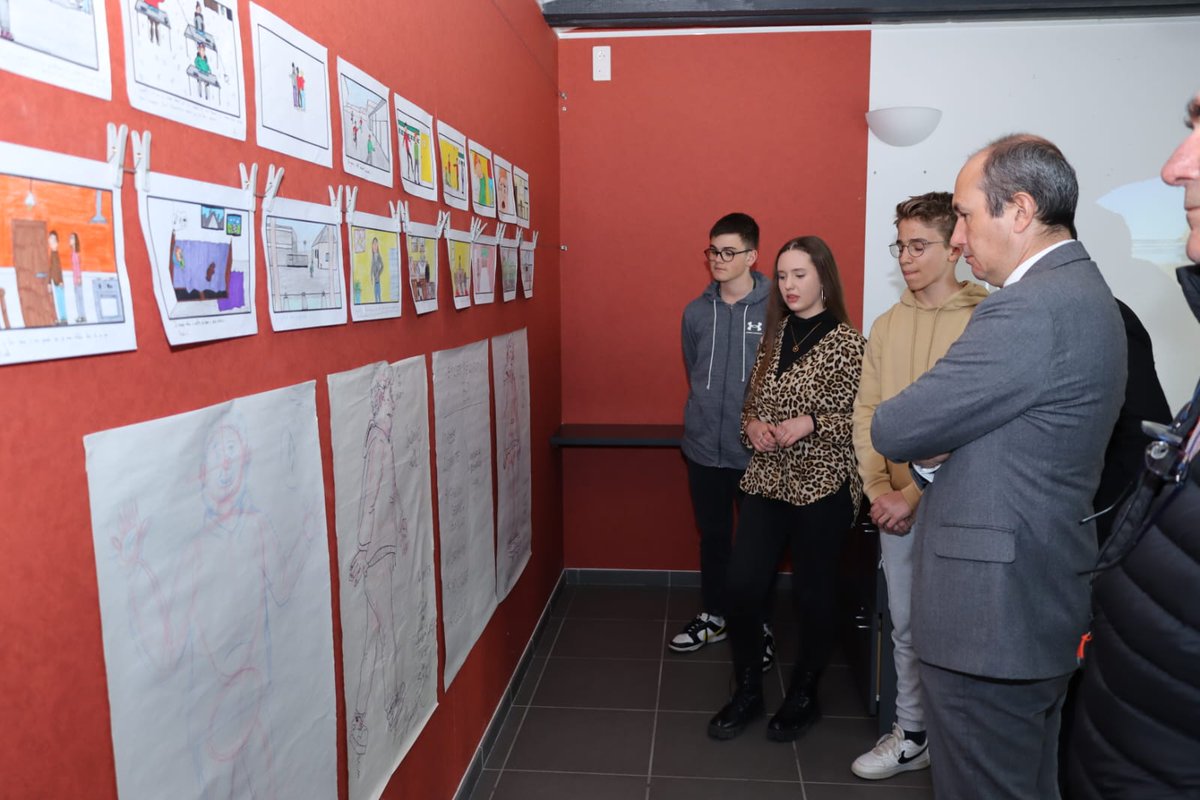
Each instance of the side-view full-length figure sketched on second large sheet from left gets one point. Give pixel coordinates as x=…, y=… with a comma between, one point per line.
x=382, y=534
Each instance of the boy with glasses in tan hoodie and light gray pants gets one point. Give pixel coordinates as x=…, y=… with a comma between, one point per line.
x=905, y=342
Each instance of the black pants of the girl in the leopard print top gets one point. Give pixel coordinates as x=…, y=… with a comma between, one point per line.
x=815, y=534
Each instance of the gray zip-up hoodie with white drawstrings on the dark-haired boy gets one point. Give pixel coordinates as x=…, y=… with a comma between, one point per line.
x=719, y=346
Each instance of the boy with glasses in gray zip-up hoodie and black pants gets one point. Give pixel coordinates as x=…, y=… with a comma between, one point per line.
x=722, y=330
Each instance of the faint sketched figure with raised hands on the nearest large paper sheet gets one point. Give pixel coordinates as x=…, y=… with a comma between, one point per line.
x=209, y=625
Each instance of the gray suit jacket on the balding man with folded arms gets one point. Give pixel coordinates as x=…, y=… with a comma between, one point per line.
x=1024, y=402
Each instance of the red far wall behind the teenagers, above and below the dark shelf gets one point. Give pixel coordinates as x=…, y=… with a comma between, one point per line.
x=689, y=129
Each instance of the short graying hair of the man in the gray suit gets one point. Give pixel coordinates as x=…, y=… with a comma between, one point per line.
x=1023, y=163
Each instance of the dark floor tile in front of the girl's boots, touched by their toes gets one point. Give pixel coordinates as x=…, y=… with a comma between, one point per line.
x=682, y=749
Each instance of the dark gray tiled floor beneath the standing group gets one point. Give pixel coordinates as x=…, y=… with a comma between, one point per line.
x=607, y=713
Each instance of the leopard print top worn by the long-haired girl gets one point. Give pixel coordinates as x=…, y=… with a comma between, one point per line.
x=823, y=383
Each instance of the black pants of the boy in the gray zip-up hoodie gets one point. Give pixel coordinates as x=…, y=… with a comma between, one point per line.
x=715, y=495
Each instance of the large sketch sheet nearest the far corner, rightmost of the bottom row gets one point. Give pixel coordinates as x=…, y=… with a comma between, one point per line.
x=514, y=509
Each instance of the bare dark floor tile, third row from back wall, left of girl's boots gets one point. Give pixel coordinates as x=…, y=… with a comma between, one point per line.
x=599, y=683
